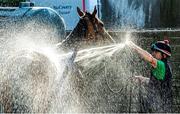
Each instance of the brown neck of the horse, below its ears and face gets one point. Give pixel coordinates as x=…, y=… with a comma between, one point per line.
x=77, y=39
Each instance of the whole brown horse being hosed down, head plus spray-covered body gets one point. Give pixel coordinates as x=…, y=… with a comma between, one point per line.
x=30, y=75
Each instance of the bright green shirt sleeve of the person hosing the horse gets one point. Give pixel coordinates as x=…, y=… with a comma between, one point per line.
x=159, y=71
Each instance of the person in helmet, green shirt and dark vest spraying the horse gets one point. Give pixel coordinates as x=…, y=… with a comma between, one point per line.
x=159, y=93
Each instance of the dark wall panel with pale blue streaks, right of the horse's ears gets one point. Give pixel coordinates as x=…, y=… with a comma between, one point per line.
x=141, y=13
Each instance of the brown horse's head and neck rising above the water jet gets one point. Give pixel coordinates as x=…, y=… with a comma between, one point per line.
x=88, y=32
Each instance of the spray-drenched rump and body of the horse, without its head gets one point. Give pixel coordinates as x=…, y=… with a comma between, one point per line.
x=33, y=82
